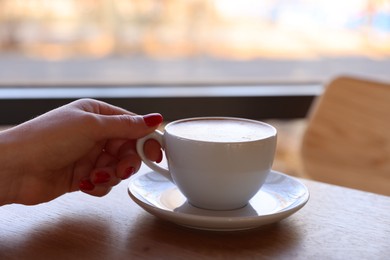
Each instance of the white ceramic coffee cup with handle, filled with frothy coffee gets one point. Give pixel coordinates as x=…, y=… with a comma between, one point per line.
x=218, y=163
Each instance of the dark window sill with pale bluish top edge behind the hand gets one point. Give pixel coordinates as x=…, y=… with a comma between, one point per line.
x=174, y=101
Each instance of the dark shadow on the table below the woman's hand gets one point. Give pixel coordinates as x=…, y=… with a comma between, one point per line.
x=68, y=238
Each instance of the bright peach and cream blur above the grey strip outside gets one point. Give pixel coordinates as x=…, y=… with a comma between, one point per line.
x=245, y=30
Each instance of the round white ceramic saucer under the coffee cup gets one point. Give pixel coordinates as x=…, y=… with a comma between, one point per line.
x=279, y=197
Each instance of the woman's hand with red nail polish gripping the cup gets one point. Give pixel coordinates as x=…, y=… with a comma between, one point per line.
x=86, y=145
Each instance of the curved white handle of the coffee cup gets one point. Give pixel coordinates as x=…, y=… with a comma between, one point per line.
x=158, y=136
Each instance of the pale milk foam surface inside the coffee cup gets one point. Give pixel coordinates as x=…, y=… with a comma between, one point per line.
x=221, y=130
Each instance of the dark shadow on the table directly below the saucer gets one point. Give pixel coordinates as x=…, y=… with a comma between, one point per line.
x=176, y=241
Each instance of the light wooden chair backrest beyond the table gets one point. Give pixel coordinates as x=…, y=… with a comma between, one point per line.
x=347, y=139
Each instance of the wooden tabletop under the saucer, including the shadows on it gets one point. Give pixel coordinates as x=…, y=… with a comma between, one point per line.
x=336, y=223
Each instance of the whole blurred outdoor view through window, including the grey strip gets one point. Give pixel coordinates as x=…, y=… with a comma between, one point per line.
x=202, y=41
